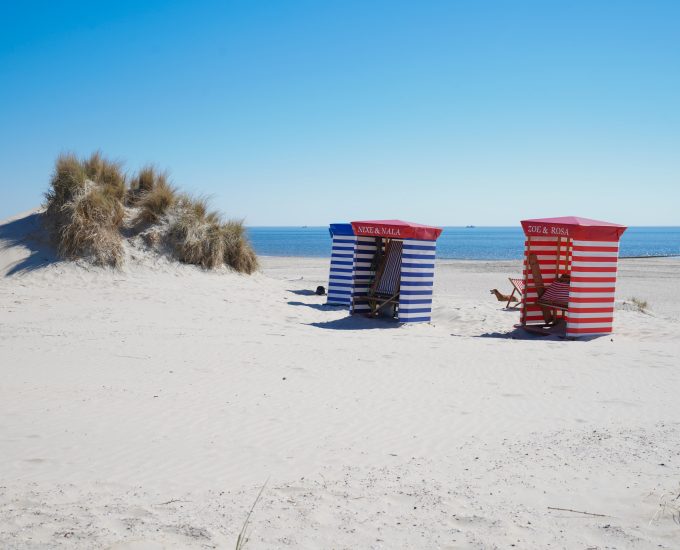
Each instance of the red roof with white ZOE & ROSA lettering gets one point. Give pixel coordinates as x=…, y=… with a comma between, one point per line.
x=573, y=227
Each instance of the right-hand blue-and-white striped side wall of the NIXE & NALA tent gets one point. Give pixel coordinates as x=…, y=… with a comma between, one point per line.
x=417, y=281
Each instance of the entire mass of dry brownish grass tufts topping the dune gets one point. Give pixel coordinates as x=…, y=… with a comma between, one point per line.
x=86, y=210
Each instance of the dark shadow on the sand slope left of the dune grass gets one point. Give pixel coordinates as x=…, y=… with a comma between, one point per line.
x=28, y=233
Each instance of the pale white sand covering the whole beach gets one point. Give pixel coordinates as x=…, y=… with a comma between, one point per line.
x=146, y=408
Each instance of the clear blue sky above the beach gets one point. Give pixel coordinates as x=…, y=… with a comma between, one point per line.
x=305, y=113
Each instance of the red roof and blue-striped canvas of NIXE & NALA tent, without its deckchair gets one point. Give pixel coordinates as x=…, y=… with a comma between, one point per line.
x=415, y=271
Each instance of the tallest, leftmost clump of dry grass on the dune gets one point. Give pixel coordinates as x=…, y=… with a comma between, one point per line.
x=84, y=208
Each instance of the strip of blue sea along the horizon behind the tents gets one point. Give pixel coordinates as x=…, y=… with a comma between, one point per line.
x=459, y=243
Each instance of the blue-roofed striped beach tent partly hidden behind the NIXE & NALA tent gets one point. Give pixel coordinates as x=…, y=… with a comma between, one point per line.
x=342, y=264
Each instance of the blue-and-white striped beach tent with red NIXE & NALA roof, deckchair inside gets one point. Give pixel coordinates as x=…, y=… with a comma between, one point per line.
x=393, y=269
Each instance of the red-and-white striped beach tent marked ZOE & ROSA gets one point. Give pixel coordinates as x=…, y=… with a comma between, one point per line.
x=576, y=259
